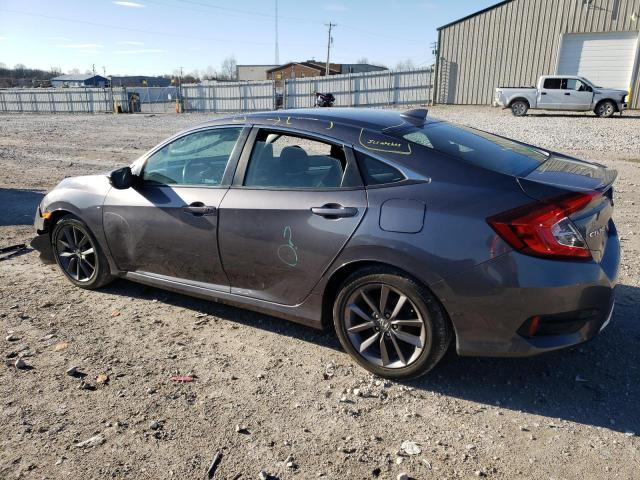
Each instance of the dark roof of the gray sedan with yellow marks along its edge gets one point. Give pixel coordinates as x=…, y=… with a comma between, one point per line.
x=317, y=119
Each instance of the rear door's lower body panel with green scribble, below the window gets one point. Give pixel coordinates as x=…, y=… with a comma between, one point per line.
x=274, y=248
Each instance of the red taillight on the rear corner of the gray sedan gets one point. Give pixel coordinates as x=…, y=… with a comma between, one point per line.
x=544, y=229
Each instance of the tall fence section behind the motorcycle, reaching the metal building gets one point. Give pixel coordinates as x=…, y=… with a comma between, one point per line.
x=372, y=89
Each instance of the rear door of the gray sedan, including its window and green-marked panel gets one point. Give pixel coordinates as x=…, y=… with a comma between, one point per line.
x=294, y=203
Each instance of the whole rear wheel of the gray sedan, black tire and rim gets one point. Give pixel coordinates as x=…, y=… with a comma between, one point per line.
x=398, y=351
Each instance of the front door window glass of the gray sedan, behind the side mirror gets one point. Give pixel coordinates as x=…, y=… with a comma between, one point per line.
x=196, y=159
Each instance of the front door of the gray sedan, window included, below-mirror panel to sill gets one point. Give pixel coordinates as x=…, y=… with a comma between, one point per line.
x=167, y=224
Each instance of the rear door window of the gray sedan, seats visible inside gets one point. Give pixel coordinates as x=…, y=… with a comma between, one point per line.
x=281, y=160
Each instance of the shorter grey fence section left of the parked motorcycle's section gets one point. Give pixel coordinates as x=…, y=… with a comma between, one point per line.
x=229, y=97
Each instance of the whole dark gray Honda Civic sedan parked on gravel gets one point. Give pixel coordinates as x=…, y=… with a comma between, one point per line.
x=399, y=232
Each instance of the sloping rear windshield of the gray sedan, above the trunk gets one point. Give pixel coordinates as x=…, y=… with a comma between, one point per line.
x=477, y=148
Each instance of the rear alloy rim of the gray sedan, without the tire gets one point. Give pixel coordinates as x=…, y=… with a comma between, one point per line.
x=384, y=326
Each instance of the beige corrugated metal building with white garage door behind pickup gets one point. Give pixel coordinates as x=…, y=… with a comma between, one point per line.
x=514, y=42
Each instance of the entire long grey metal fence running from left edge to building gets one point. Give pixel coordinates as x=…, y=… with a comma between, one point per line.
x=371, y=89
